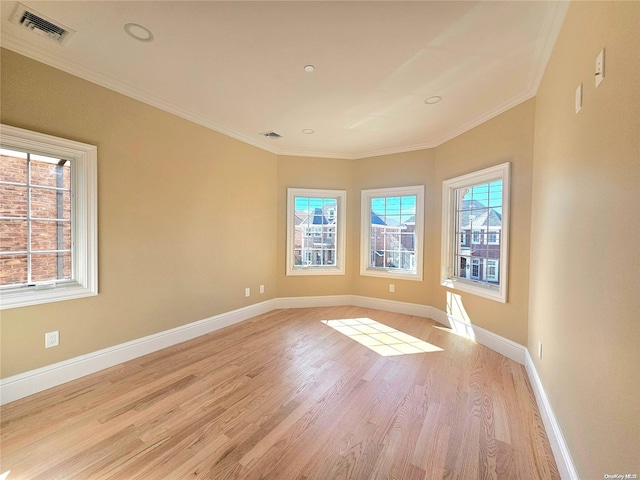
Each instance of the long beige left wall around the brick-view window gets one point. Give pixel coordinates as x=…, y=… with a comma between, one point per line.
x=185, y=217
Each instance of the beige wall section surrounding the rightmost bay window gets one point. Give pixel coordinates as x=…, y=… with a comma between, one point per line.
x=505, y=138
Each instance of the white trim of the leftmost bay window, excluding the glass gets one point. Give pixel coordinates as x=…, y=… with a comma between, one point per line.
x=341, y=231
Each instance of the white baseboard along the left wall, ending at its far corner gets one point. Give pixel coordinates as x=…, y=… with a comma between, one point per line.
x=34, y=381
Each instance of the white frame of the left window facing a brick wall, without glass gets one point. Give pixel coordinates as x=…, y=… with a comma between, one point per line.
x=84, y=223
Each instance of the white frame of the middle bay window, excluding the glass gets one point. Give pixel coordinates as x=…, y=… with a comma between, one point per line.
x=365, y=232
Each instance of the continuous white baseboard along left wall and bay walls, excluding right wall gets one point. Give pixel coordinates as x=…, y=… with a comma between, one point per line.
x=34, y=381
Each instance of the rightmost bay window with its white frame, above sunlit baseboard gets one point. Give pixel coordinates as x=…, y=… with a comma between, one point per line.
x=477, y=204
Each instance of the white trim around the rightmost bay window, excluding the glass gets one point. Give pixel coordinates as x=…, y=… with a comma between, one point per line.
x=449, y=188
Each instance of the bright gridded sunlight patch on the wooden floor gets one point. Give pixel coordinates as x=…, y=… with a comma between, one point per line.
x=382, y=339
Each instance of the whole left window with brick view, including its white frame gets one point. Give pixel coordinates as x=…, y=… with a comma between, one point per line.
x=48, y=218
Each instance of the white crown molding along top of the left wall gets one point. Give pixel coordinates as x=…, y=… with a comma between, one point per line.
x=12, y=42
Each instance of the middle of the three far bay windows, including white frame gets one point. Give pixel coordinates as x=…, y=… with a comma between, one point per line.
x=391, y=236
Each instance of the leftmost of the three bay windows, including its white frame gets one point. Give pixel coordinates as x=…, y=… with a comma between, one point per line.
x=316, y=231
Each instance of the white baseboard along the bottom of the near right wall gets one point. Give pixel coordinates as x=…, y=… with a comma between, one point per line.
x=556, y=438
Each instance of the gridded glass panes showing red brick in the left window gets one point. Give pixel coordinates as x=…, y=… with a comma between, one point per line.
x=35, y=221
